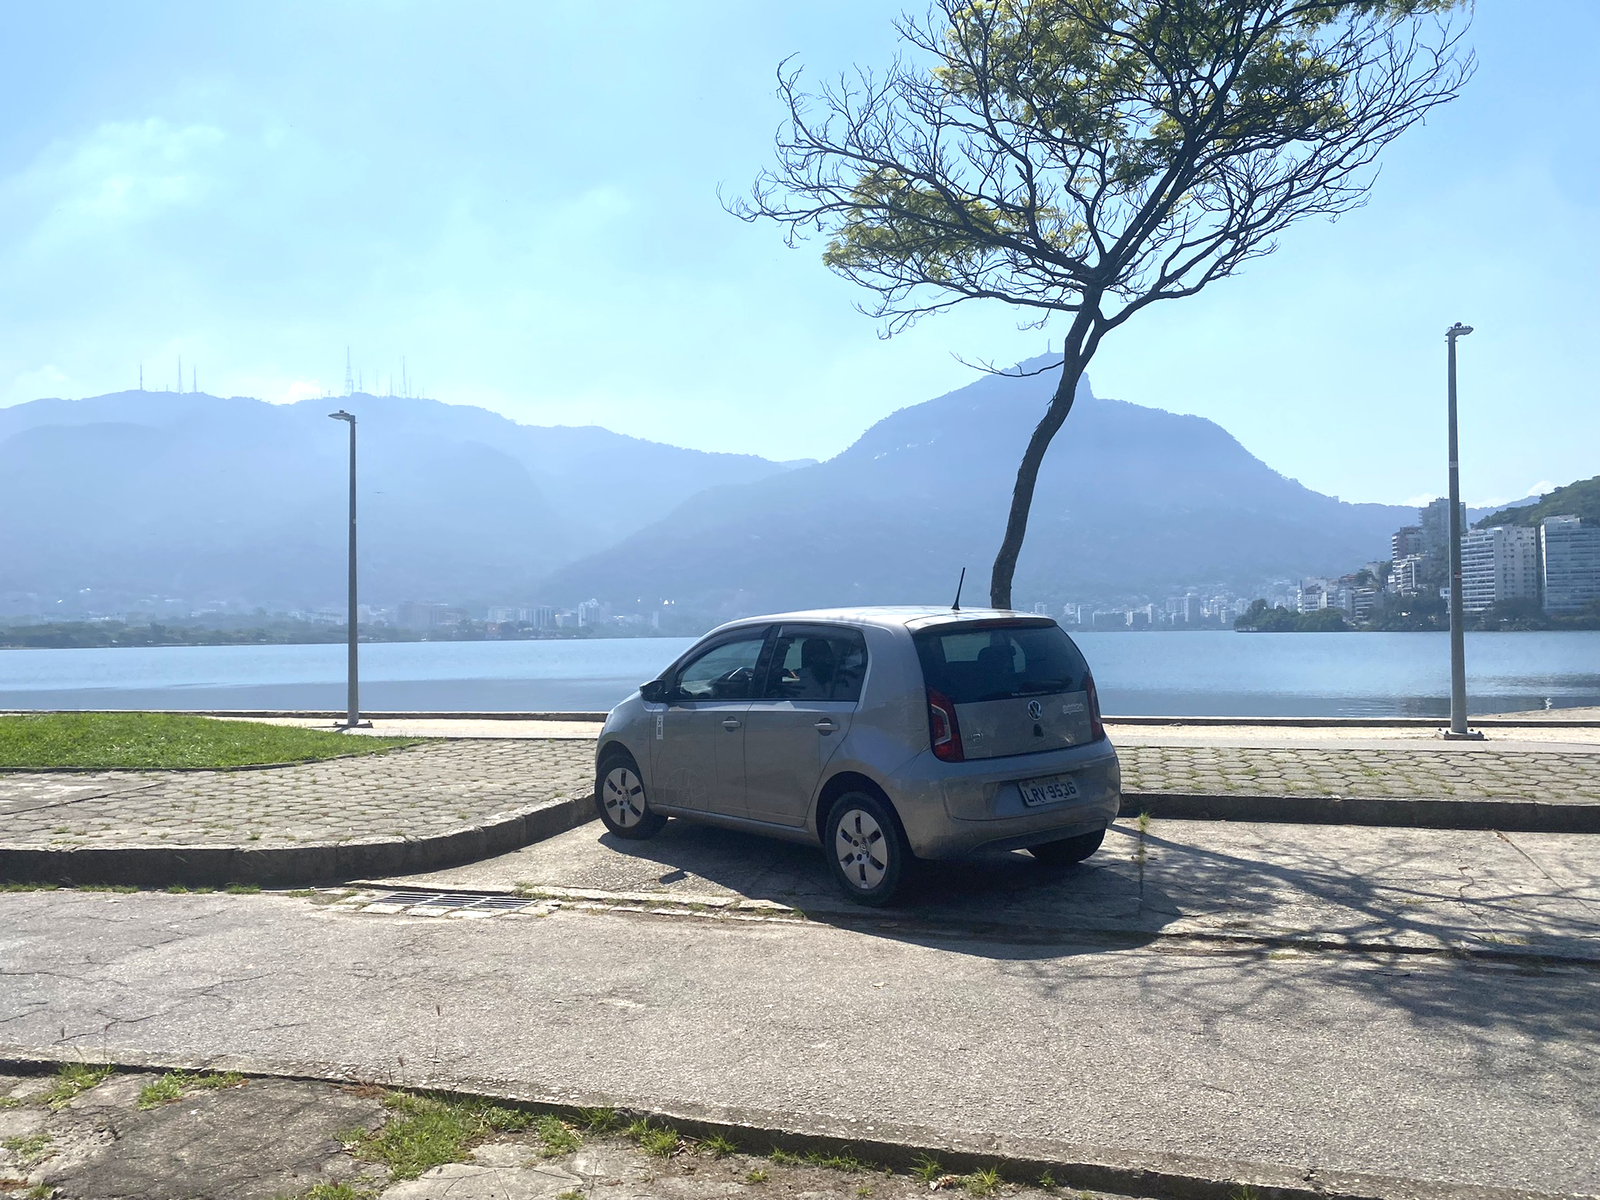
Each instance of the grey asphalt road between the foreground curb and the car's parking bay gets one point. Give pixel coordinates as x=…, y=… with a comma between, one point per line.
x=1417, y=1066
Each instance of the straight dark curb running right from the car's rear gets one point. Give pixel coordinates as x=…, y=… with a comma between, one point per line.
x=1513, y=817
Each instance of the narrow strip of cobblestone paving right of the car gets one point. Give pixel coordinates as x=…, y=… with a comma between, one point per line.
x=1425, y=775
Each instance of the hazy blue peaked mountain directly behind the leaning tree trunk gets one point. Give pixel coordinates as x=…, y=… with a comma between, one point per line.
x=1130, y=502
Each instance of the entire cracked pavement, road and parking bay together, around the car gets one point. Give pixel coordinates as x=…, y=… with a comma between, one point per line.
x=988, y=1012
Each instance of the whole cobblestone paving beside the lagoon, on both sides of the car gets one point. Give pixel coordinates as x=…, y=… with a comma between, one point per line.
x=431, y=790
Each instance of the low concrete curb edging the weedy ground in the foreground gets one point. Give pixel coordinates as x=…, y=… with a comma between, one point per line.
x=1161, y=1177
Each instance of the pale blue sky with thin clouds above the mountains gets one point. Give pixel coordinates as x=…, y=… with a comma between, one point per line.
x=521, y=202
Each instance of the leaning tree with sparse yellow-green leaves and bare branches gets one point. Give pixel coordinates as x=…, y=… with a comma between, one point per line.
x=1090, y=158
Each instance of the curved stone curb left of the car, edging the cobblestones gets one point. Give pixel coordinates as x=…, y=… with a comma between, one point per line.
x=295, y=866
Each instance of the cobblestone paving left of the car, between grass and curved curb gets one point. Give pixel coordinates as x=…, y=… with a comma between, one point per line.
x=412, y=793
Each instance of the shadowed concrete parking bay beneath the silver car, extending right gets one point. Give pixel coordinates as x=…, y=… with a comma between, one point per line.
x=1506, y=897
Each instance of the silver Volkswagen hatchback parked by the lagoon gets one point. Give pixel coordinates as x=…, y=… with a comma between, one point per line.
x=878, y=734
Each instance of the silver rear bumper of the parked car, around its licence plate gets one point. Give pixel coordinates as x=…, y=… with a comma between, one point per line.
x=958, y=809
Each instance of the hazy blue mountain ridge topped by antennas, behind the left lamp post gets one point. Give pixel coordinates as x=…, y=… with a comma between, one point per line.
x=209, y=498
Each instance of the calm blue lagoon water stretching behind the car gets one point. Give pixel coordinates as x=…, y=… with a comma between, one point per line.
x=1140, y=674
